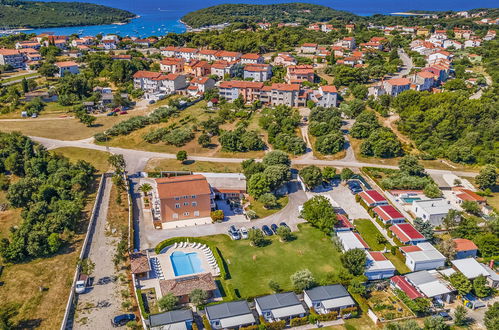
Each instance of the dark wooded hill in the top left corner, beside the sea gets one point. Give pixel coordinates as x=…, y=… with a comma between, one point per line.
x=34, y=14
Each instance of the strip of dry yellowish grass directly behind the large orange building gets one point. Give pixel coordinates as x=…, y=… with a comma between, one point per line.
x=193, y=166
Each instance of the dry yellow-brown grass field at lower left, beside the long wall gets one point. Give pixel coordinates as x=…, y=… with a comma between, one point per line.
x=42, y=308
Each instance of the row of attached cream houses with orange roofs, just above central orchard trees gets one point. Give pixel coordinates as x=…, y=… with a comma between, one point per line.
x=292, y=95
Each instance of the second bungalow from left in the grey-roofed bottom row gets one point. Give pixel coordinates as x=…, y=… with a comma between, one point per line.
x=229, y=315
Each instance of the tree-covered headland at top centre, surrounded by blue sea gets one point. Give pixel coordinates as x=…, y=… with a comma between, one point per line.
x=276, y=13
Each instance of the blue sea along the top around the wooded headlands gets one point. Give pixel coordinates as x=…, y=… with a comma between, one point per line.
x=159, y=17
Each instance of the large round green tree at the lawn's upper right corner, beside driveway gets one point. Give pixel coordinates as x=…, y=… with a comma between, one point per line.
x=320, y=213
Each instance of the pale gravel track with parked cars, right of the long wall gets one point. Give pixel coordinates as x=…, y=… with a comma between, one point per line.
x=102, y=301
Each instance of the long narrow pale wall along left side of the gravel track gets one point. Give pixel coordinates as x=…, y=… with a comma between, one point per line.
x=83, y=253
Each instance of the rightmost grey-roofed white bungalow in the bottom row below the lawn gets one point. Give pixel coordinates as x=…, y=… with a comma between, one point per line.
x=328, y=298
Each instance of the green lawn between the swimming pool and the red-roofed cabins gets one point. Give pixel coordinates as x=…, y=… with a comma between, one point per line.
x=252, y=268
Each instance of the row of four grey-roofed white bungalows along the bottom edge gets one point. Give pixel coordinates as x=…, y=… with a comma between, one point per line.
x=277, y=307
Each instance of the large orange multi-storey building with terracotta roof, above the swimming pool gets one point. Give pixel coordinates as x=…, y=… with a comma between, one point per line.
x=187, y=198
